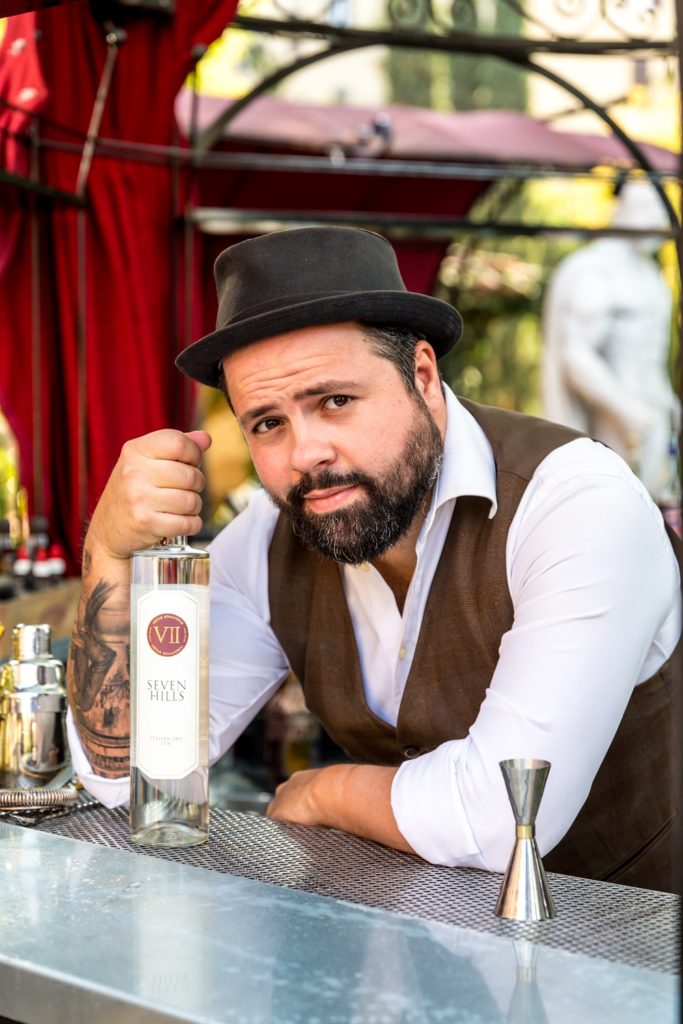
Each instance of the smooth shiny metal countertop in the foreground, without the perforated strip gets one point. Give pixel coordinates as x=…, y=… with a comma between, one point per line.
x=93, y=935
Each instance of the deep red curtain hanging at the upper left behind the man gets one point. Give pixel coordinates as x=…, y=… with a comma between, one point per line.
x=131, y=277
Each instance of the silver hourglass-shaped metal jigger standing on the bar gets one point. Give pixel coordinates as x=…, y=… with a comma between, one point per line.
x=525, y=894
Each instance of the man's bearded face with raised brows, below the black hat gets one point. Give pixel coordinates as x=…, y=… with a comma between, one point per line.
x=337, y=441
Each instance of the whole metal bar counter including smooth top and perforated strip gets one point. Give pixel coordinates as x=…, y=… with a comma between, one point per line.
x=244, y=930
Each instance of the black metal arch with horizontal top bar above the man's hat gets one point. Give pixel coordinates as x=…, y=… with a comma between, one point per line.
x=351, y=40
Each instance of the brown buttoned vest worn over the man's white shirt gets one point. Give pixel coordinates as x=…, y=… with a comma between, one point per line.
x=624, y=833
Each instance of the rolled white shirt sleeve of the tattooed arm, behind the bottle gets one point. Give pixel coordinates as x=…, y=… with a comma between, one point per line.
x=246, y=663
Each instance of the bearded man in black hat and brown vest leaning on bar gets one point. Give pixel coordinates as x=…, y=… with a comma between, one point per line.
x=453, y=585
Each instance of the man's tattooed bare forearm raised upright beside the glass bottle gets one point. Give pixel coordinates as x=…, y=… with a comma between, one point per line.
x=98, y=673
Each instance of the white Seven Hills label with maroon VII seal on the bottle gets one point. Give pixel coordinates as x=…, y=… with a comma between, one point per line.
x=167, y=685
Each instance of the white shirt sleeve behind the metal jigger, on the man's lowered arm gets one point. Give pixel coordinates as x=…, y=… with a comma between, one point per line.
x=594, y=584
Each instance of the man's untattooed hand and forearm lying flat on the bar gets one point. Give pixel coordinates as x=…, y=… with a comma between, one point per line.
x=354, y=798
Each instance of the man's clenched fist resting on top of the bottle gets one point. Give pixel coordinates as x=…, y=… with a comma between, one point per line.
x=154, y=492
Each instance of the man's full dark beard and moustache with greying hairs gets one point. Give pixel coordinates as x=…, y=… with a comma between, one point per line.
x=373, y=524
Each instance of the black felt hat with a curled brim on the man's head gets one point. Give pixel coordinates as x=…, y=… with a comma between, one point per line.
x=310, y=277
